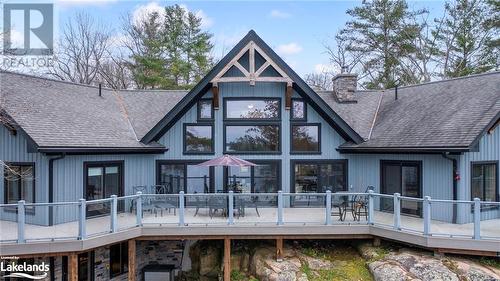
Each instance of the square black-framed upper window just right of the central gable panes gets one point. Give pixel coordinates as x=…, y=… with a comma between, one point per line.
x=305, y=138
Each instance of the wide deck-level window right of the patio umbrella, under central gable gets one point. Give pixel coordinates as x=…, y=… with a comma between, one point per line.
x=320, y=177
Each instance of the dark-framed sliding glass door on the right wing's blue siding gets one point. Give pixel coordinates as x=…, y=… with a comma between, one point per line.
x=403, y=177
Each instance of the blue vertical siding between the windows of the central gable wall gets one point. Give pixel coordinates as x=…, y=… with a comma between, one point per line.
x=330, y=139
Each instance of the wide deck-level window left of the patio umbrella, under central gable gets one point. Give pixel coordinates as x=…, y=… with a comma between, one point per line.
x=186, y=176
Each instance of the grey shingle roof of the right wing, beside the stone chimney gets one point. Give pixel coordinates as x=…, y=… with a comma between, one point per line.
x=448, y=115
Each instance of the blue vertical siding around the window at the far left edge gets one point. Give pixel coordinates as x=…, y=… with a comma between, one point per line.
x=13, y=148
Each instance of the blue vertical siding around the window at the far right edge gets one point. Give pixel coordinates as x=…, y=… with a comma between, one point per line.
x=489, y=150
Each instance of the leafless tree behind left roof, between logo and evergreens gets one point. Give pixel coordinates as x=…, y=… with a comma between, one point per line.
x=82, y=50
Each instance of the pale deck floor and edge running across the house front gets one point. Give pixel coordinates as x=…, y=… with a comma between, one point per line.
x=296, y=221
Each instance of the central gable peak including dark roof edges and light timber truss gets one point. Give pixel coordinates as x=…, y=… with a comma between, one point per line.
x=236, y=63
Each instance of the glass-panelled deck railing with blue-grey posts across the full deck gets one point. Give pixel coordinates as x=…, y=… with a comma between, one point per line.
x=84, y=219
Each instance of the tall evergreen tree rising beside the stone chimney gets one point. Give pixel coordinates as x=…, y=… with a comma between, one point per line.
x=382, y=32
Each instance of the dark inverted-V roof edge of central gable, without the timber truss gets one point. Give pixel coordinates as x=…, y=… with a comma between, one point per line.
x=299, y=85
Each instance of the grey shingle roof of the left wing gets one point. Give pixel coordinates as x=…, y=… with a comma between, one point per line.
x=60, y=116
